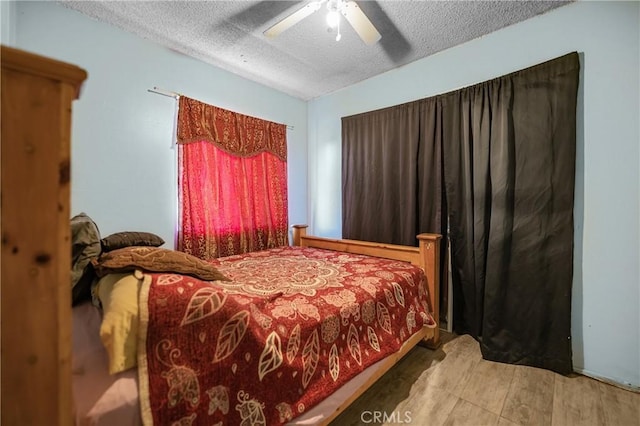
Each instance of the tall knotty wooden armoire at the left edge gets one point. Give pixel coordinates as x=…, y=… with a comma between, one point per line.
x=35, y=291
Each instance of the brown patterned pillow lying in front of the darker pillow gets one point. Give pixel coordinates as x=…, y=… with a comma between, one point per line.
x=155, y=259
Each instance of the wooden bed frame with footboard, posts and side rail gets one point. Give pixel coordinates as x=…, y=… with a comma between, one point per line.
x=426, y=255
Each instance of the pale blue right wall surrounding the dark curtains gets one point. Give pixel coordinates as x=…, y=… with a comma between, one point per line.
x=606, y=296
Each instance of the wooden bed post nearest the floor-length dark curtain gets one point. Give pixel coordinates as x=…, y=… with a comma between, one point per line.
x=429, y=245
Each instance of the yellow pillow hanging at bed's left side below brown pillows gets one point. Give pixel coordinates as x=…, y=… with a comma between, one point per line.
x=119, y=294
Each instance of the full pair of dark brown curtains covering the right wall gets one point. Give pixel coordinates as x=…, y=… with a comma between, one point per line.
x=497, y=160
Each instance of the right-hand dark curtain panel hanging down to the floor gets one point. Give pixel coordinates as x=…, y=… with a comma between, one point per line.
x=509, y=161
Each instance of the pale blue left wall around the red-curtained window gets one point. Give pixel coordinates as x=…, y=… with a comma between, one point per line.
x=123, y=166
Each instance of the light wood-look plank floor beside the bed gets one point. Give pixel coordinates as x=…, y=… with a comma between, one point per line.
x=455, y=386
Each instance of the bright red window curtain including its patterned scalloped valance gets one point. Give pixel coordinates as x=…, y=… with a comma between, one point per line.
x=232, y=182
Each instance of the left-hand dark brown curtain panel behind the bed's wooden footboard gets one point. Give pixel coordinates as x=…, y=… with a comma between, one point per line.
x=388, y=196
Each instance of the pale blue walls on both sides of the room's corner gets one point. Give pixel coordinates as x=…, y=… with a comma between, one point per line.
x=124, y=169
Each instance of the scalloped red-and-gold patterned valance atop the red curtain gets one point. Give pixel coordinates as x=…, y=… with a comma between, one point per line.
x=235, y=133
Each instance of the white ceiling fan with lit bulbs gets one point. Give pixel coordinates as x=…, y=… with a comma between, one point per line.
x=347, y=8
